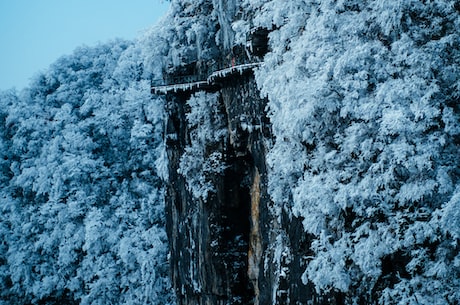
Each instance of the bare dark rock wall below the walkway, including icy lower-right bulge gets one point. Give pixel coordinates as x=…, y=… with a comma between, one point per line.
x=232, y=248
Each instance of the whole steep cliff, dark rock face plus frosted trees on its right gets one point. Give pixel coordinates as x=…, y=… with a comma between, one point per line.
x=325, y=175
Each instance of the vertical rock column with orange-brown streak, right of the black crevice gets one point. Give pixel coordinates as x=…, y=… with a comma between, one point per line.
x=249, y=131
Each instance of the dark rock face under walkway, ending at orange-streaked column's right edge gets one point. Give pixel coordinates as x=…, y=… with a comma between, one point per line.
x=216, y=243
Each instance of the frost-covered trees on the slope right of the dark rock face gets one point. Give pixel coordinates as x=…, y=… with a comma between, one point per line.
x=366, y=142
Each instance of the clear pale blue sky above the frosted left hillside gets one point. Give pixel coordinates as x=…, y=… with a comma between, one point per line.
x=34, y=33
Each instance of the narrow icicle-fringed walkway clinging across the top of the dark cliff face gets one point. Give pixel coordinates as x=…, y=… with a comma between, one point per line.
x=212, y=82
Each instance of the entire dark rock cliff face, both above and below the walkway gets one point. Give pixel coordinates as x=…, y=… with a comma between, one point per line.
x=229, y=246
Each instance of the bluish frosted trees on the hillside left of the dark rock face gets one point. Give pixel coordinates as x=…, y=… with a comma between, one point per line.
x=81, y=196
